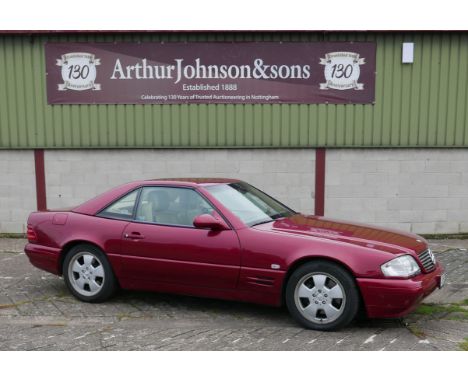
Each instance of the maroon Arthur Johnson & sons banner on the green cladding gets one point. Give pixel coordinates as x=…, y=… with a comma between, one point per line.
x=177, y=73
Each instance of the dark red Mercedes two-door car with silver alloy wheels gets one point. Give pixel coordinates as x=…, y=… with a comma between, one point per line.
x=226, y=239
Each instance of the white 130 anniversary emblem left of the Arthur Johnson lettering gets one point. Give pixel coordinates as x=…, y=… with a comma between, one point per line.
x=78, y=71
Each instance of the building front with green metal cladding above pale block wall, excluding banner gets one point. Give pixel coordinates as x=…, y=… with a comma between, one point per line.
x=400, y=161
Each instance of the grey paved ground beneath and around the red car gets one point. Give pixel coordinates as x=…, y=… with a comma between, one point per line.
x=38, y=313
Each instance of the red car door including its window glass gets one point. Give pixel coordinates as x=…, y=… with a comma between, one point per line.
x=161, y=245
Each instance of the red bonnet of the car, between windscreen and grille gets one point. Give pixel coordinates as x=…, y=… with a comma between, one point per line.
x=388, y=240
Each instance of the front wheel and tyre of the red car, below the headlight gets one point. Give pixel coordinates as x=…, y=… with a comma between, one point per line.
x=321, y=295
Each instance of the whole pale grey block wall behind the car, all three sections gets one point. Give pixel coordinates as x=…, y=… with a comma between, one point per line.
x=418, y=190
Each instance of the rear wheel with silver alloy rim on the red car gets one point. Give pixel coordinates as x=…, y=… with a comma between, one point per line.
x=88, y=274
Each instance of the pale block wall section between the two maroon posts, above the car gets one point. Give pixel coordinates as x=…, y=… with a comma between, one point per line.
x=74, y=176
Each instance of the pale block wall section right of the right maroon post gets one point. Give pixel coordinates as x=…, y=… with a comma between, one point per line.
x=418, y=190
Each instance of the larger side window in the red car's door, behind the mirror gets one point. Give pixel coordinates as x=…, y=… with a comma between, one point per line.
x=171, y=205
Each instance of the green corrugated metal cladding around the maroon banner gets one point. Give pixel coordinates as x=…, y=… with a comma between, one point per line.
x=417, y=105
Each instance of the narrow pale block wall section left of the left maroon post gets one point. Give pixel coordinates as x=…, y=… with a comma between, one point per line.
x=17, y=189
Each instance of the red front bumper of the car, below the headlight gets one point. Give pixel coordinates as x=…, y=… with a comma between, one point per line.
x=392, y=298
